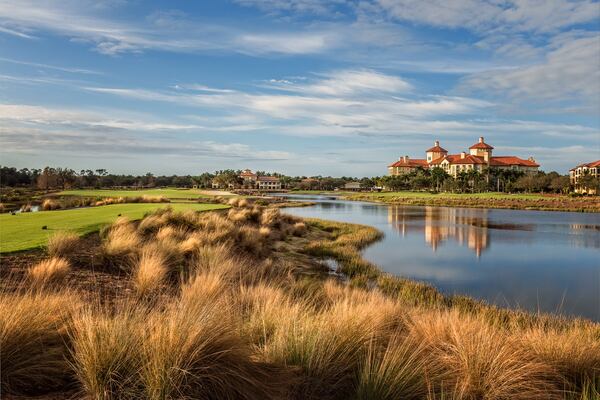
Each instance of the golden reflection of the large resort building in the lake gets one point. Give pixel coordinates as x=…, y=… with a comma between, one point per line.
x=466, y=226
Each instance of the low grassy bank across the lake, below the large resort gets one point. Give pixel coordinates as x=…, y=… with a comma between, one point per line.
x=485, y=200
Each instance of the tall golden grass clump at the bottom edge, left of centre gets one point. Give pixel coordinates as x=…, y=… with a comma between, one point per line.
x=193, y=350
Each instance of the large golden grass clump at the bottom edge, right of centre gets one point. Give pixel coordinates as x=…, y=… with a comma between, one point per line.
x=481, y=362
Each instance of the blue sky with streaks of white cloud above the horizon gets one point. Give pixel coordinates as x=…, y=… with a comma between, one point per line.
x=301, y=87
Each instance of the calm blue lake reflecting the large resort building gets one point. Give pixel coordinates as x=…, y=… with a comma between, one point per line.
x=535, y=260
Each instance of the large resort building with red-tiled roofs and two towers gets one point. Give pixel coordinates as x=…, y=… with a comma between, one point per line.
x=478, y=158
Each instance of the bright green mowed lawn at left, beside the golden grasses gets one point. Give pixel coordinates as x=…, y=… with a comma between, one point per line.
x=24, y=231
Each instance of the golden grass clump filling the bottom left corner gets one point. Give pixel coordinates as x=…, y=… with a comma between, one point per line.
x=32, y=341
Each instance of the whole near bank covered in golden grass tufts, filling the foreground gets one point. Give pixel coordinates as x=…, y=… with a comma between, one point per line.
x=237, y=306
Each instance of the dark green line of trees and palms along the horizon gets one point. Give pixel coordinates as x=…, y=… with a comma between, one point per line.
x=436, y=180
